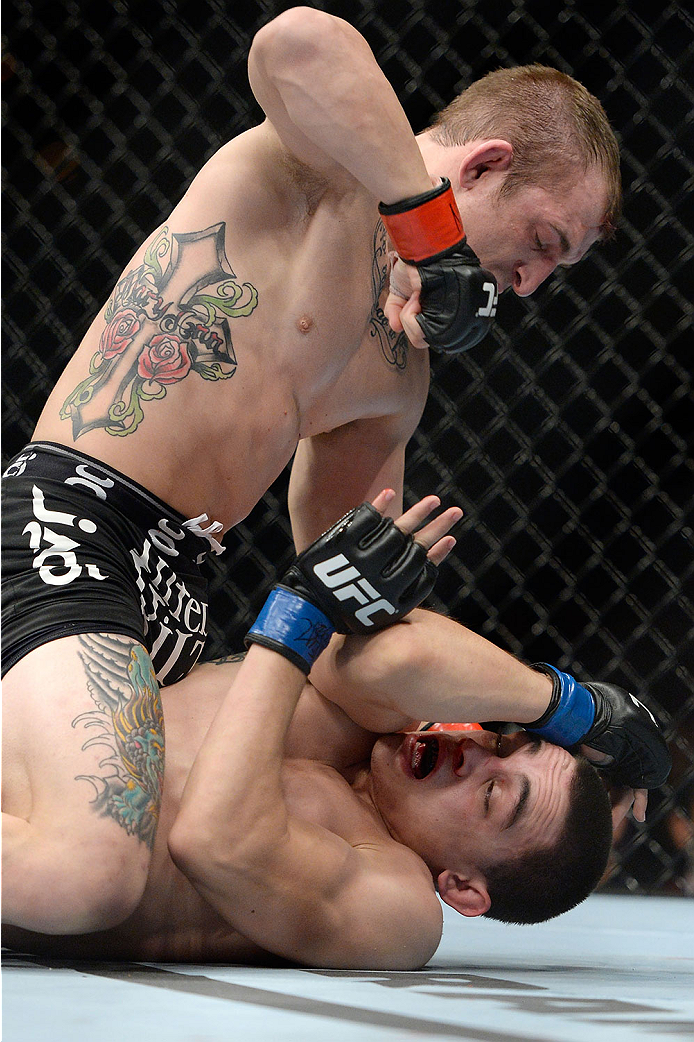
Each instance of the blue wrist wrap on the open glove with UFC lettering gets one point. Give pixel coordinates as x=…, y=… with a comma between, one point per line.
x=296, y=625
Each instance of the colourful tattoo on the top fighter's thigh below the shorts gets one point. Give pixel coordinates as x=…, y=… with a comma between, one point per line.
x=129, y=724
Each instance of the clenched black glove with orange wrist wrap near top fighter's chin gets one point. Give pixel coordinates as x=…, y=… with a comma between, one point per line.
x=459, y=297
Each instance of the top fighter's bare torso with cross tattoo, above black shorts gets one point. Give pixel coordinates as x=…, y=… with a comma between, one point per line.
x=218, y=352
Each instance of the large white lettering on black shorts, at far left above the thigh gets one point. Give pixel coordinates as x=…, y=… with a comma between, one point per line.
x=57, y=562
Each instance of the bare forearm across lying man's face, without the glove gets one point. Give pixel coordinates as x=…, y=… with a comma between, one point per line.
x=429, y=668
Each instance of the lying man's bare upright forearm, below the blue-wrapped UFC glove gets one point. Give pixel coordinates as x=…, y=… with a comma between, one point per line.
x=234, y=800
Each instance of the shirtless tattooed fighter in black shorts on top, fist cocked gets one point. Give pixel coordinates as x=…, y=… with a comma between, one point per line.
x=258, y=322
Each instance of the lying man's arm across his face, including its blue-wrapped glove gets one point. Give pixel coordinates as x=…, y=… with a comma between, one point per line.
x=431, y=667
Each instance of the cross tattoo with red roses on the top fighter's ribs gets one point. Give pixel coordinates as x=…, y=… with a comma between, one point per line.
x=160, y=327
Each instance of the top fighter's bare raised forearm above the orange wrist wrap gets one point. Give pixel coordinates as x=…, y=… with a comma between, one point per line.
x=321, y=73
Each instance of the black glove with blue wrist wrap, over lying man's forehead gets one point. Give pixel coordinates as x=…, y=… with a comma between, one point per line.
x=609, y=720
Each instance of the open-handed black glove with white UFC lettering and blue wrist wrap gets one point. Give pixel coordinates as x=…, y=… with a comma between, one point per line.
x=359, y=577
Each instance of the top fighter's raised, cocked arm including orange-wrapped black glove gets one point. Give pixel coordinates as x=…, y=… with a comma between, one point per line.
x=331, y=106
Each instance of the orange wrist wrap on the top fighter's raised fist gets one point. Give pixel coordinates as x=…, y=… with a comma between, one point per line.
x=425, y=227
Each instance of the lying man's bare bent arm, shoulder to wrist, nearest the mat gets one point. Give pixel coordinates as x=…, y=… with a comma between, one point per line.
x=293, y=887
